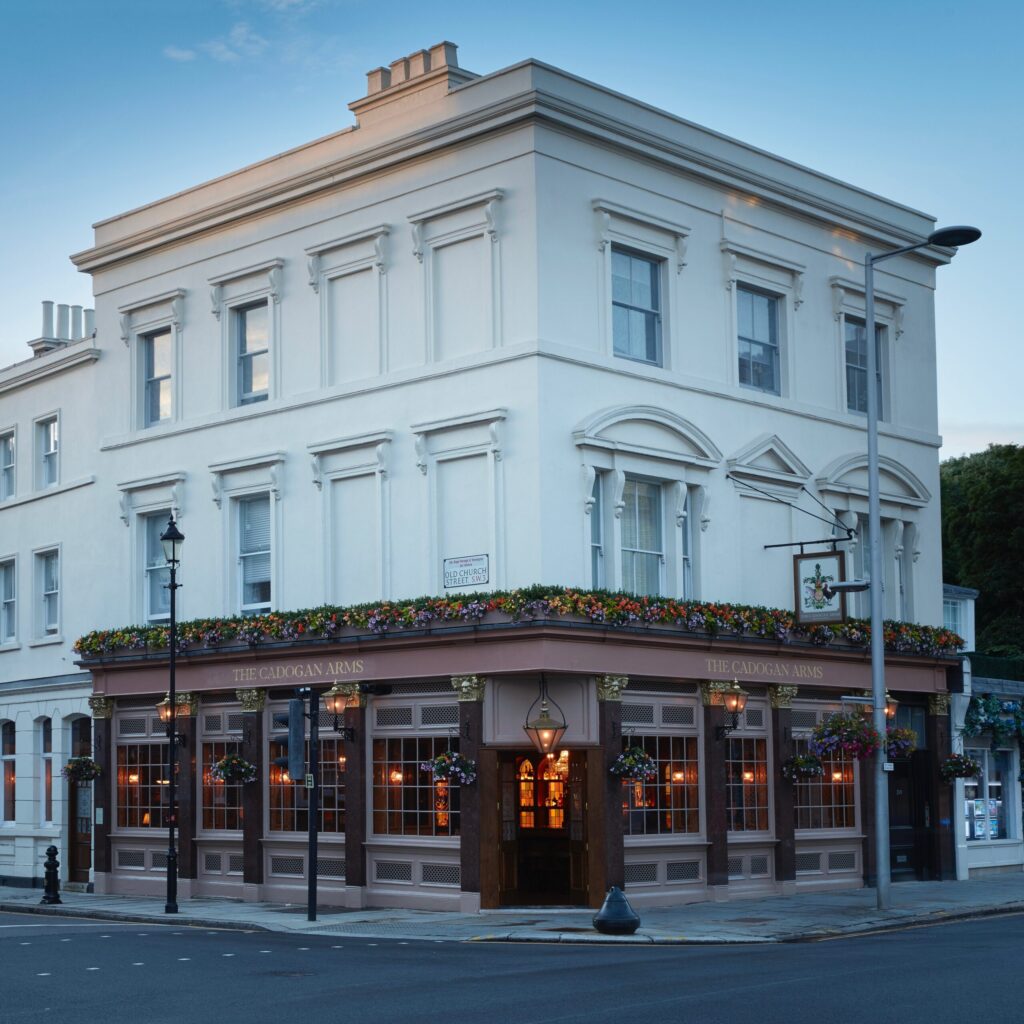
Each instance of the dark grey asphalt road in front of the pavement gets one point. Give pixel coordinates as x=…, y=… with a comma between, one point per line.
x=73, y=970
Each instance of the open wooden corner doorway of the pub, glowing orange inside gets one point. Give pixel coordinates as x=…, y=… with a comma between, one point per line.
x=543, y=829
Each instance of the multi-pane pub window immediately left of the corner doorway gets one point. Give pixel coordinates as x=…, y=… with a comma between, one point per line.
x=409, y=801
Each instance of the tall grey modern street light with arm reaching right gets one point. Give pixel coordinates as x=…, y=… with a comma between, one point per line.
x=952, y=238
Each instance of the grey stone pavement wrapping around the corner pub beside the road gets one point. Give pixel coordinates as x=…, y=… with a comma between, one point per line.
x=806, y=917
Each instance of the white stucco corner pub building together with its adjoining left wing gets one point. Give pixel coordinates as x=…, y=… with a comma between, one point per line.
x=507, y=330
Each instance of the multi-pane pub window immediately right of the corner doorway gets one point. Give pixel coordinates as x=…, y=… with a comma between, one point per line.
x=669, y=803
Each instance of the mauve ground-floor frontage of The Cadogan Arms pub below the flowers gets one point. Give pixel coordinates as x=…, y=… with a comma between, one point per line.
x=718, y=822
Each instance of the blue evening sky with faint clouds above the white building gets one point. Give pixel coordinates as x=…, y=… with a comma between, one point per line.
x=108, y=105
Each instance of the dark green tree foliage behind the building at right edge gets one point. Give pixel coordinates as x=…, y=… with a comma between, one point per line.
x=984, y=541
